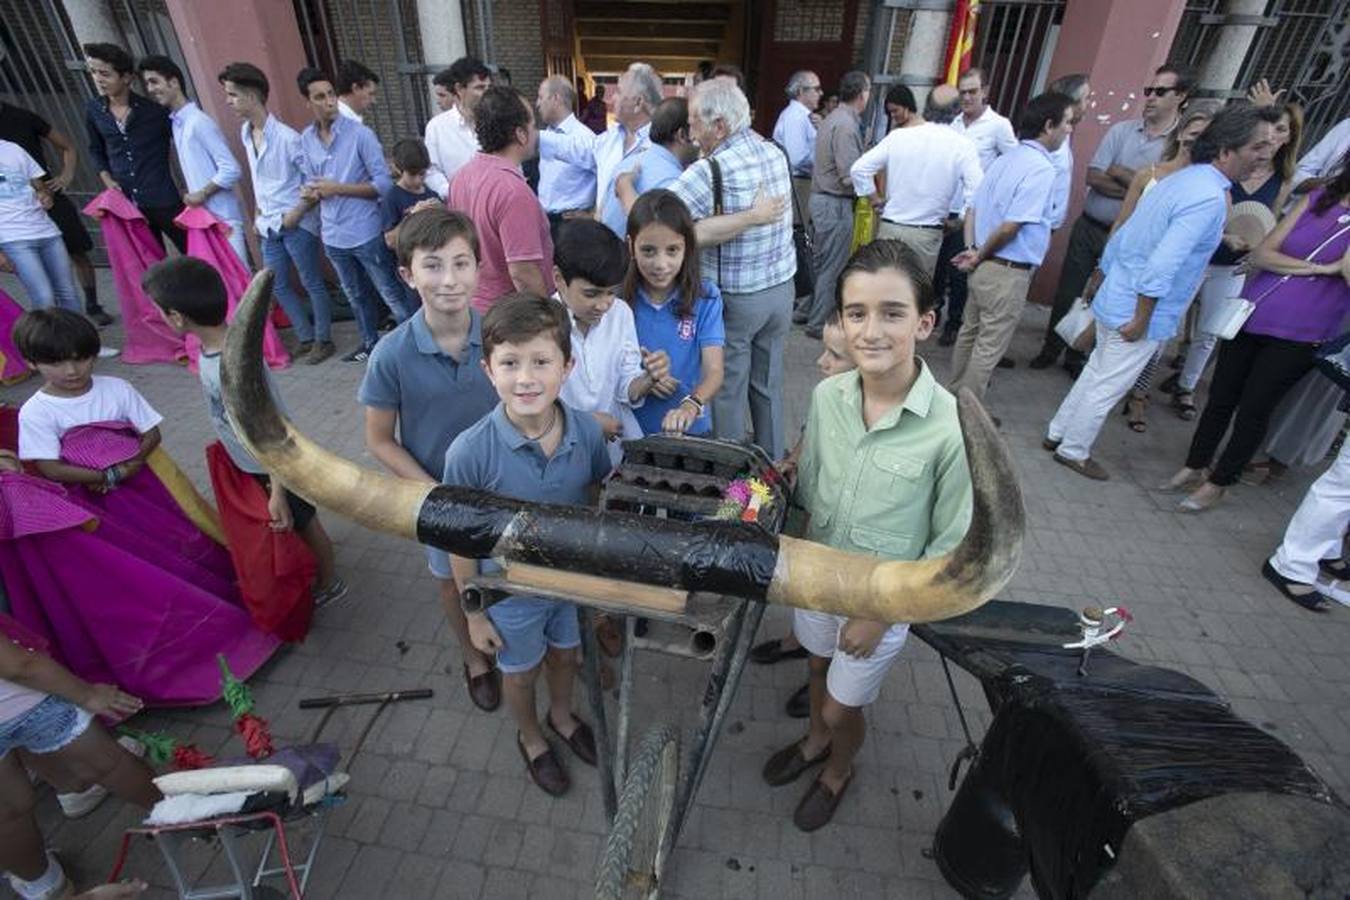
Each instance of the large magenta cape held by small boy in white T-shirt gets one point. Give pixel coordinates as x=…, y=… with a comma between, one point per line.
x=144, y=601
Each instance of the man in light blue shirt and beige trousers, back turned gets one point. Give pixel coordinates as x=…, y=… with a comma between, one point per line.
x=1008, y=231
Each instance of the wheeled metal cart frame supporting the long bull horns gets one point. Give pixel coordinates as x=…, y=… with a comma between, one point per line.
x=649, y=794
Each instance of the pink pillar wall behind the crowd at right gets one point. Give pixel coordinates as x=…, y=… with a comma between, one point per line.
x=1118, y=44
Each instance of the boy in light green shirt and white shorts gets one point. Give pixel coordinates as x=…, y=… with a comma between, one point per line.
x=884, y=473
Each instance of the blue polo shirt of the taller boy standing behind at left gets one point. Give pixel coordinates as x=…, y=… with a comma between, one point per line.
x=435, y=396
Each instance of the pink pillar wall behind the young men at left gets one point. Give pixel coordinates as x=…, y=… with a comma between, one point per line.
x=215, y=33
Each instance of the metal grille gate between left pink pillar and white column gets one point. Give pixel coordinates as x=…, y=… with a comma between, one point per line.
x=385, y=37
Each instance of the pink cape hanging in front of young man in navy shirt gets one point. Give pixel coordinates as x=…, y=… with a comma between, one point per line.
x=133, y=250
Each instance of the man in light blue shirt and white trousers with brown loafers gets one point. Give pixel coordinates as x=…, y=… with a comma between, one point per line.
x=1154, y=266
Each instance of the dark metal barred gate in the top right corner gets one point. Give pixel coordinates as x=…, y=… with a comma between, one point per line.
x=1299, y=45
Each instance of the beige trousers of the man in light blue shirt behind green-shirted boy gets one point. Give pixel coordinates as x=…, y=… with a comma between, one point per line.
x=993, y=310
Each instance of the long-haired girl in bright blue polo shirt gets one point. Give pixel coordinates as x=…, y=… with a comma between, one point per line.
x=676, y=311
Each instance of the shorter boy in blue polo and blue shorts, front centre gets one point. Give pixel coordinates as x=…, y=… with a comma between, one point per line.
x=535, y=449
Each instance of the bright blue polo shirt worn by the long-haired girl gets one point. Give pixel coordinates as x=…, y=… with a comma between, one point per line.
x=684, y=341
